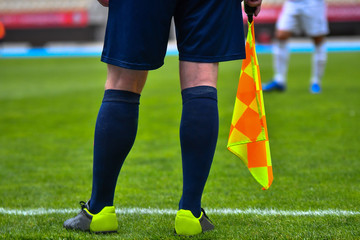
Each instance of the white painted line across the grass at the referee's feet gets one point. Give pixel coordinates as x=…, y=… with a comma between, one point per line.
x=221, y=211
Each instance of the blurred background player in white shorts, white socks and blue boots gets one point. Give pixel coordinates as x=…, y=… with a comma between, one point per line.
x=308, y=16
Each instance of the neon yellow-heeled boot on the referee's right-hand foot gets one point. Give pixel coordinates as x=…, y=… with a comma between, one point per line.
x=187, y=224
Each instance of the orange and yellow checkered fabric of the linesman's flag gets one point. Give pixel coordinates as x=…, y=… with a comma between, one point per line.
x=248, y=137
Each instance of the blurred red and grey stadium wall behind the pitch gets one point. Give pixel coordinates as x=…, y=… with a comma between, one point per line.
x=41, y=21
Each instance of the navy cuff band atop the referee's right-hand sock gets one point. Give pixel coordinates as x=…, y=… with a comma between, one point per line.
x=199, y=92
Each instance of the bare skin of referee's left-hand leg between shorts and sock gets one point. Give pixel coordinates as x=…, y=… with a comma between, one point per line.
x=125, y=79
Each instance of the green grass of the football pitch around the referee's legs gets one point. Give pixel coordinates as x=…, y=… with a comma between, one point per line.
x=47, y=117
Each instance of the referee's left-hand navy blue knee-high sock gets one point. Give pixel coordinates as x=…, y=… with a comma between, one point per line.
x=115, y=132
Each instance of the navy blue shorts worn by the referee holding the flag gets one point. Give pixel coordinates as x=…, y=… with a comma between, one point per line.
x=207, y=31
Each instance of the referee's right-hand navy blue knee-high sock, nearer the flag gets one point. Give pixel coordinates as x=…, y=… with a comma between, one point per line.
x=198, y=136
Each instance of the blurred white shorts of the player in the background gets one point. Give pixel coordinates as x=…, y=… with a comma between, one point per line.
x=308, y=16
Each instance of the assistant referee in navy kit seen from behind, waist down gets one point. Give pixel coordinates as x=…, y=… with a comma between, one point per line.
x=136, y=38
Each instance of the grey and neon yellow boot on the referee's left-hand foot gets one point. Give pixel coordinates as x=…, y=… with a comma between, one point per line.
x=103, y=222
